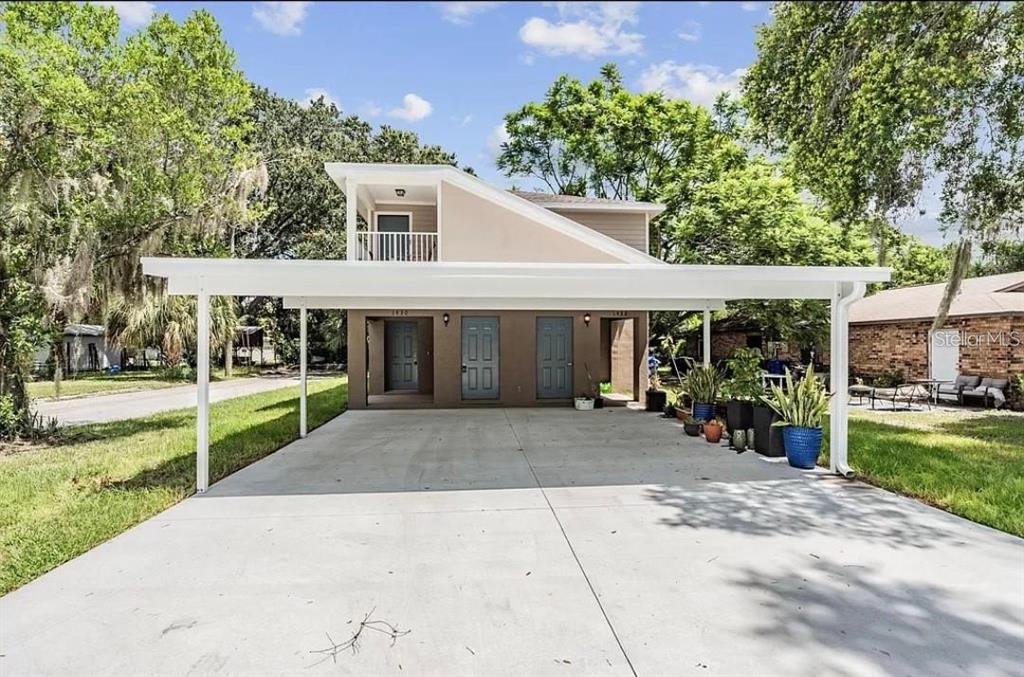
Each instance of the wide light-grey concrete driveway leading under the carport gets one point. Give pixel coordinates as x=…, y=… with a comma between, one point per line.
x=530, y=542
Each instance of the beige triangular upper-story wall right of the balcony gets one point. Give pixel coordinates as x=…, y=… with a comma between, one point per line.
x=477, y=230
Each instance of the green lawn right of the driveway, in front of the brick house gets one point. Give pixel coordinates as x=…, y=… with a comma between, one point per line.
x=969, y=463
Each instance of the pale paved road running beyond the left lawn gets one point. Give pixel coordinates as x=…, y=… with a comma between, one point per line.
x=120, y=406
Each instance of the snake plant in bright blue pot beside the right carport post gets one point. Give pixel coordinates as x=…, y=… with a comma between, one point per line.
x=801, y=408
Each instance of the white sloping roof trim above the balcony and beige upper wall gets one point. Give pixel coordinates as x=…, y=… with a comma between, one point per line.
x=435, y=175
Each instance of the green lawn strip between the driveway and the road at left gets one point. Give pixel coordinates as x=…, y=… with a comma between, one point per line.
x=58, y=502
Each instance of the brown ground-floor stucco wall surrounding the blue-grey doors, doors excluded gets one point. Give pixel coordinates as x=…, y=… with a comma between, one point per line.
x=518, y=335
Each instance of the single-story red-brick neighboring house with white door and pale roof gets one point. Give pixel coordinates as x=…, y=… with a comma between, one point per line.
x=984, y=336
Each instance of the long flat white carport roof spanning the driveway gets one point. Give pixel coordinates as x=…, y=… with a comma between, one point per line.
x=364, y=285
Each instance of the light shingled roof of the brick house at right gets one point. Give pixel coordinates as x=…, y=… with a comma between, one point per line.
x=979, y=297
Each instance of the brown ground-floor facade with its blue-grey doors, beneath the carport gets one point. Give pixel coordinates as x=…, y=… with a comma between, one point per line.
x=507, y=358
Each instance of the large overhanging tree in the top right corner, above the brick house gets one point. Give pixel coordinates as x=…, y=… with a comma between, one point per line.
x=872, y=100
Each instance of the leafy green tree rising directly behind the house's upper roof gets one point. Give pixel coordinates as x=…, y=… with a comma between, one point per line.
x=602, y=140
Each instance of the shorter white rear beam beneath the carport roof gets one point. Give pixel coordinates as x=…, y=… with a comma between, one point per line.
x=498, y=304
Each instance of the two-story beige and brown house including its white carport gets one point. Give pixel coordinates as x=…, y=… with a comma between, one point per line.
x=462, y=294
